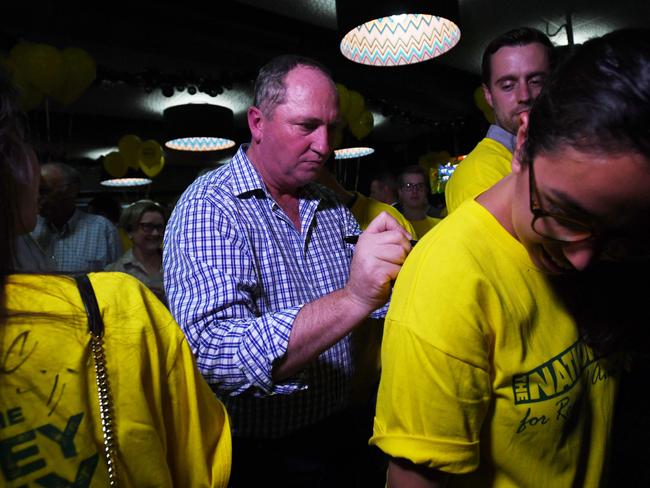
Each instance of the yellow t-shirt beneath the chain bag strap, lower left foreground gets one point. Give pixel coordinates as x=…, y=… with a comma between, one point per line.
x=171, y=430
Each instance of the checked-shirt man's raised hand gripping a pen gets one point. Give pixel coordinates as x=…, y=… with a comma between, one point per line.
x=378, y=257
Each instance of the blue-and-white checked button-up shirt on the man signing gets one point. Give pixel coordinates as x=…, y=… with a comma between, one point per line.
x=237, y=272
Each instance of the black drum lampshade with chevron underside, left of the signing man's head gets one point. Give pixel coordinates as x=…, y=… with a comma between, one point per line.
x=198, y=127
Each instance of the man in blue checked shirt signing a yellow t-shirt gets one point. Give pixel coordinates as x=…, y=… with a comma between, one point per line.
x=267, y=291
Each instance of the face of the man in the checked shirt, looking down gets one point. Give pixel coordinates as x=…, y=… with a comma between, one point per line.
x=291, y=144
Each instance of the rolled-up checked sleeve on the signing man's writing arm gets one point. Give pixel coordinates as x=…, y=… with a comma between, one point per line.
x=212, y=284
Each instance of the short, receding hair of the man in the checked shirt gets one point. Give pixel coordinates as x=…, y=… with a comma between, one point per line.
x=270, y=89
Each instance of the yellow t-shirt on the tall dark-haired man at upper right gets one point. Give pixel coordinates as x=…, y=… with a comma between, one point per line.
x=488, y=163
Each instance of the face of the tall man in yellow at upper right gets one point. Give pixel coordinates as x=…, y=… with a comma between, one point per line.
x=518, y=73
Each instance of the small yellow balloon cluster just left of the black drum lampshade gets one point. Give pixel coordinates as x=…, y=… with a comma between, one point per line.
x=133, y=153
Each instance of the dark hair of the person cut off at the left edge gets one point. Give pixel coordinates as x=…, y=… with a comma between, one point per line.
x=15, y=172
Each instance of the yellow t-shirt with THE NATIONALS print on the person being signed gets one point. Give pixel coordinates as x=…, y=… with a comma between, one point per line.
x=483, y=369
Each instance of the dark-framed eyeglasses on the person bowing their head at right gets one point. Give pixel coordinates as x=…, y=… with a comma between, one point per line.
x=551, y=225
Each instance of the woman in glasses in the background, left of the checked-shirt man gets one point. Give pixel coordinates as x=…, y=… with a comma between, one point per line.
x=144, y=222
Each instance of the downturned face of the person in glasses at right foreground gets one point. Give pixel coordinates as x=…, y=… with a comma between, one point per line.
x=606, y=194
